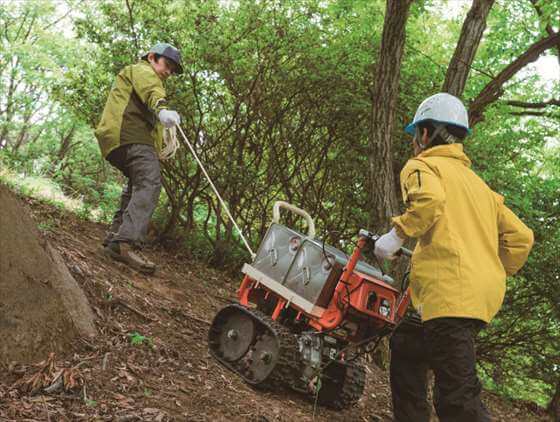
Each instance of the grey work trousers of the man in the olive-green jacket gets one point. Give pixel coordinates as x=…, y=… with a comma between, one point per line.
x=139, y=198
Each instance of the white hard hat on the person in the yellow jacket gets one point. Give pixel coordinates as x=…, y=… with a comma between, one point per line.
x=441, y=108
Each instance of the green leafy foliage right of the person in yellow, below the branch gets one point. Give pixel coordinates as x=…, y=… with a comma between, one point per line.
x=521, y=348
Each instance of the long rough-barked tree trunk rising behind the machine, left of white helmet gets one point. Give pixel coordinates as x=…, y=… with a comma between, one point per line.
x=384, y=202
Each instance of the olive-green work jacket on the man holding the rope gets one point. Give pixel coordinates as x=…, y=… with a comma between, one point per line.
x=130, y=114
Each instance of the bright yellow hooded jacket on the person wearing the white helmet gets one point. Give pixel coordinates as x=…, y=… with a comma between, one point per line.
x=468, y=240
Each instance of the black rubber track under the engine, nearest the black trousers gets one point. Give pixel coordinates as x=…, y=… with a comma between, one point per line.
x=342, y=385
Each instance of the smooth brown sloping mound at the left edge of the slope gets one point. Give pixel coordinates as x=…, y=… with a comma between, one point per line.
x=42, y=308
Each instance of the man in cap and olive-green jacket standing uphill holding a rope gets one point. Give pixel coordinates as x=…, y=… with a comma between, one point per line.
x=130, y=136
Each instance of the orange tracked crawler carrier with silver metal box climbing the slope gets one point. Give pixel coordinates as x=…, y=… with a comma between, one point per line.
x=306, y=313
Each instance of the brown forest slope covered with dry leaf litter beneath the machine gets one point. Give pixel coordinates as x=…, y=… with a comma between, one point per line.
x=150, y=362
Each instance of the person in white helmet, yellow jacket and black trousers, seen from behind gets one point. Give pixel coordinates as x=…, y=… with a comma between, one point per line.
x=468, y=241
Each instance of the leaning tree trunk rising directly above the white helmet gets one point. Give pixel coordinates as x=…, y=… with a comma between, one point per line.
x=471, y=34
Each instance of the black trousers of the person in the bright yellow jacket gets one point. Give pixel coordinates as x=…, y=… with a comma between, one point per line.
x=446, y=346
